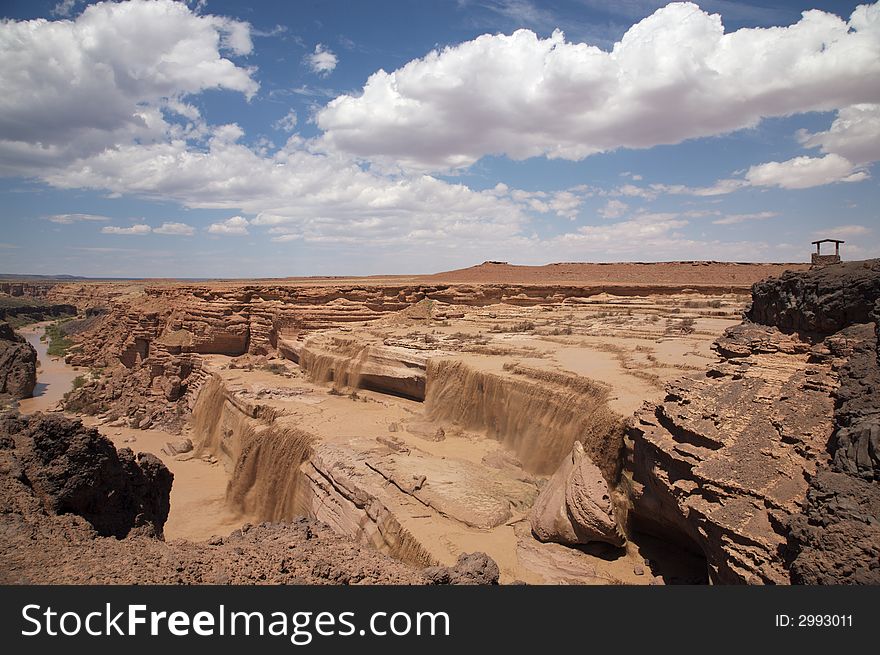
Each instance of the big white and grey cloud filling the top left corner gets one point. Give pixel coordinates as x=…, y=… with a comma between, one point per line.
x=72, y=88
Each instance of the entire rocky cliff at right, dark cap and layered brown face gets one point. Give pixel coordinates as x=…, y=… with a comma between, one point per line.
x=767, y=463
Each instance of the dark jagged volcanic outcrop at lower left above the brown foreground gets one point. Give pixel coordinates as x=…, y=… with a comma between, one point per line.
x=73, y=469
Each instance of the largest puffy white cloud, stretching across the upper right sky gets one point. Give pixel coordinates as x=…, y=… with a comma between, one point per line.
x=673, y=76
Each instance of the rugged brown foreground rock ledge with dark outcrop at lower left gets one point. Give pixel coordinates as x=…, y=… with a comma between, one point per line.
x=53, y=472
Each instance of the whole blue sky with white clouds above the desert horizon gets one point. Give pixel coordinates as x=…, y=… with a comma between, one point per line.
x=228, y=139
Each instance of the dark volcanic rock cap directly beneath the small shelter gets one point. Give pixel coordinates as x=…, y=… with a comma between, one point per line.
x=821, y=301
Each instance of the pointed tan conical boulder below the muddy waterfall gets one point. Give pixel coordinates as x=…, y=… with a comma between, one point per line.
x=574, y=507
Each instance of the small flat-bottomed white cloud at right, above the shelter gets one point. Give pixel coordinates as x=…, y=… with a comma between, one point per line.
x=804, y=172
